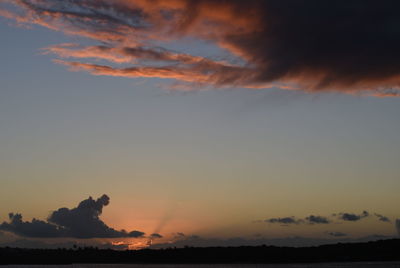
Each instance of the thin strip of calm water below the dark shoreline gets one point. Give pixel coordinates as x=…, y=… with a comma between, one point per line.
x=323, y=265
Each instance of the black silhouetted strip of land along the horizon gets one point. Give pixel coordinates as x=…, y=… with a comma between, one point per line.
x=383, y=250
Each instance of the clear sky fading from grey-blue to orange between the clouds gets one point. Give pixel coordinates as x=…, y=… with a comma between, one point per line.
x=207, y=162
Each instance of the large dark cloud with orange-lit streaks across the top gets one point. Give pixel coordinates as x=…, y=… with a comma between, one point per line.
x=316, y=46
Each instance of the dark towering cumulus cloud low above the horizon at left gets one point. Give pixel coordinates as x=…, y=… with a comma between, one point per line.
x=80, y=222
